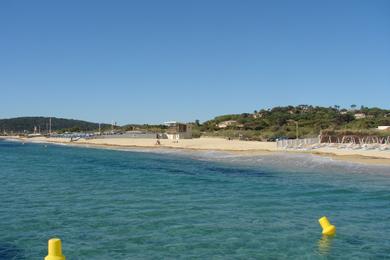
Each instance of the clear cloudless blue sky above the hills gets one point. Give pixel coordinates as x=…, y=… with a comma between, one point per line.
x=154, y=61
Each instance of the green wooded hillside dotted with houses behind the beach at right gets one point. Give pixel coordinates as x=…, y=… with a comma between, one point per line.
x=281, y=122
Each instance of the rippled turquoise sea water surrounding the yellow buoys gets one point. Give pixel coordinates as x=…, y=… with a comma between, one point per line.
x=107, y=204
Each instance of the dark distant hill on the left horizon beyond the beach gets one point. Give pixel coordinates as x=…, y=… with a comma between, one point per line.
x=21, y=124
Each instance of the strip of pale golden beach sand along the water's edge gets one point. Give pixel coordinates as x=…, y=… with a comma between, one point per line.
x=245, y=148
